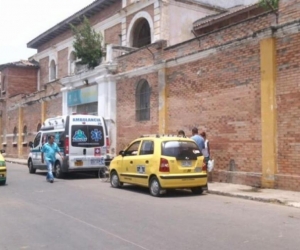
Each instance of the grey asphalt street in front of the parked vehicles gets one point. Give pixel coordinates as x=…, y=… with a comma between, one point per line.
x=81, y=212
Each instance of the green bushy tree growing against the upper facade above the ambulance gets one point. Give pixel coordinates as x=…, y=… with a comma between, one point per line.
x=87, y=43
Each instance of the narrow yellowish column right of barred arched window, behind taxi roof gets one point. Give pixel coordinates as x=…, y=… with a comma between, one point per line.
x=163, y=107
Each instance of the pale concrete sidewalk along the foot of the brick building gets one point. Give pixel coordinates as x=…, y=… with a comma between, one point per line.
x=287, y=198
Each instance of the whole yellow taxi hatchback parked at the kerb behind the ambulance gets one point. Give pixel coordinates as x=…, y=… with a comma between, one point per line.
x=160, y=163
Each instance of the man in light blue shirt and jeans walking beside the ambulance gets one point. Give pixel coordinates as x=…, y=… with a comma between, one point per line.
x=49, y=151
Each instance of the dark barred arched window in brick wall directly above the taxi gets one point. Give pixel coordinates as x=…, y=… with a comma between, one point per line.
x=142, y=101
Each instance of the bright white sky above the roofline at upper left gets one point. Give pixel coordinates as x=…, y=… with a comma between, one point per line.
x=23, y=20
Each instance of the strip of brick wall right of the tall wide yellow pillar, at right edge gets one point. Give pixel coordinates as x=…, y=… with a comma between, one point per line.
x=288, y=105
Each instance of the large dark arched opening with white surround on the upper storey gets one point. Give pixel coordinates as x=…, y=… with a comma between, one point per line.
x=141, y=35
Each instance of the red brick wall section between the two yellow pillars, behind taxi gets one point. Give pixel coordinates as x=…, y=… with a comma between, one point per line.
x=216, y=97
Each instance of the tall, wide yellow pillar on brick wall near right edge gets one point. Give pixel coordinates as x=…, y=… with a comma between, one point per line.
x=268, y=111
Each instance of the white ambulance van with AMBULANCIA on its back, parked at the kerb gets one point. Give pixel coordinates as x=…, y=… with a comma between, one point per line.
x=83, y=140
